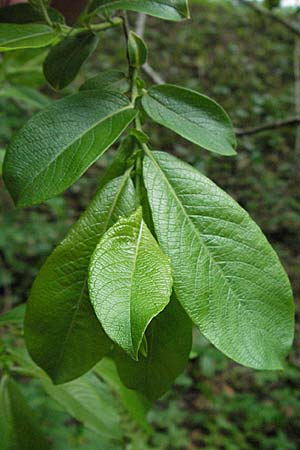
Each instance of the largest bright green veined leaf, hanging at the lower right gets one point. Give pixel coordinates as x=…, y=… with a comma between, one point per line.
x=226, y=275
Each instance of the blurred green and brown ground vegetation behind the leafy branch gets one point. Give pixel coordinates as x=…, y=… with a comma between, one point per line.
x=245, y=62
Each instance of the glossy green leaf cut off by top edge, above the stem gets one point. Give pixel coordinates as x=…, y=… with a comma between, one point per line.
x=164, y=9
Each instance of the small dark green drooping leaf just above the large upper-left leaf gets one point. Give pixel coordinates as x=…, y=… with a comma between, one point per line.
x=66, y=58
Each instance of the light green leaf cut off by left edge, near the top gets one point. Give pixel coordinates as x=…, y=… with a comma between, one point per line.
x=15, y=36
